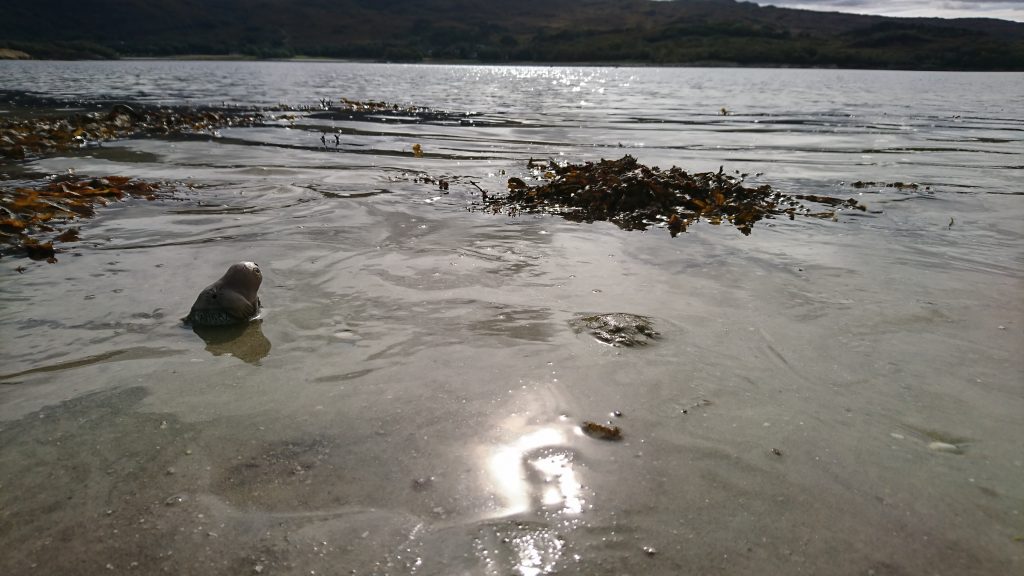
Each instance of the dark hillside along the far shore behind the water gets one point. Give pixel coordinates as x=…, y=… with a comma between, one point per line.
x=694, y=33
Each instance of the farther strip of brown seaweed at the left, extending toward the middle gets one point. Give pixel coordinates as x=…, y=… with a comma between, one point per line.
x=20, y=138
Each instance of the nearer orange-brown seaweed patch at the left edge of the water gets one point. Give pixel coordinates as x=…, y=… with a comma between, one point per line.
x=28, y=216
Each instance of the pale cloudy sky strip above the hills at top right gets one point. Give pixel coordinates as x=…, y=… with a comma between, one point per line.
x=1006, y=10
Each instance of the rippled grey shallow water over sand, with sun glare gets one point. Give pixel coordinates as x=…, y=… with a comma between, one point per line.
x=824, y=397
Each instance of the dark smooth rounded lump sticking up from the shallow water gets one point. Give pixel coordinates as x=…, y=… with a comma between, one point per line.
x=232, y=300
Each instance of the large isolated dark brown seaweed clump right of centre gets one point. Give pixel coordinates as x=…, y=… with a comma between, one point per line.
x=635, y=197
